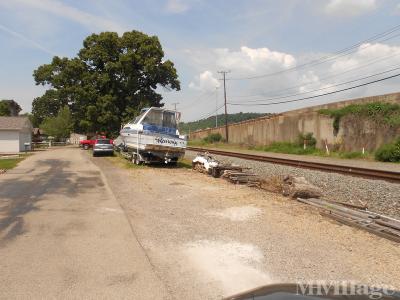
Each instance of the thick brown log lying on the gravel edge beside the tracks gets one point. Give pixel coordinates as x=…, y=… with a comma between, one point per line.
x=299, y=187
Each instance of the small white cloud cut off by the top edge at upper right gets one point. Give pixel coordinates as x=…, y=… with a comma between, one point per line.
x=349, y=8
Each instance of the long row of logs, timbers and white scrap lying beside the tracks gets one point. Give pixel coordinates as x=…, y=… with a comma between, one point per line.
x=299, y=188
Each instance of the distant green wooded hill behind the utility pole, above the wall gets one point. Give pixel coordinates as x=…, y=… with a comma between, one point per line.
x=210, y=122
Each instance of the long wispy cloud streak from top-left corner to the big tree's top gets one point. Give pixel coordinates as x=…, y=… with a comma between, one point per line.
x=59, y=9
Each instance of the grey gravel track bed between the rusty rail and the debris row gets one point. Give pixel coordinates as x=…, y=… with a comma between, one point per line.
x=380, y=196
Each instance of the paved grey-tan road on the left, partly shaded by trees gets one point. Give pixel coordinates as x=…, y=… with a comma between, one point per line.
x=63, y=235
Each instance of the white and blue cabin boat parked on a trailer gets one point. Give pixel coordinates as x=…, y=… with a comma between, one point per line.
x=153, y=136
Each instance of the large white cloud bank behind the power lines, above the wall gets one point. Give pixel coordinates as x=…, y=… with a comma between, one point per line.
x=367, y=60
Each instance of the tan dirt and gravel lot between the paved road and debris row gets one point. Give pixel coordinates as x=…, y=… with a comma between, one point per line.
x=207, y=238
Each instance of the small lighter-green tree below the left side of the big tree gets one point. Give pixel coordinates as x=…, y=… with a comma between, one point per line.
x=59, y=126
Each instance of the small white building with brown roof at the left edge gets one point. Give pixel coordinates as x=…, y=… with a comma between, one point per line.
x=14, y=133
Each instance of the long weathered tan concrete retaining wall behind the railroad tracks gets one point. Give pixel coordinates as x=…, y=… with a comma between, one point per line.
x=287, y=126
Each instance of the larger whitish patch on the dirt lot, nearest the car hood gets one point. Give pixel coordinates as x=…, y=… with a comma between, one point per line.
x=231, y=264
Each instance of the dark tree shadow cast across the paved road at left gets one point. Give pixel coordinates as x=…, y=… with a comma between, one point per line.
x=20, y=196
